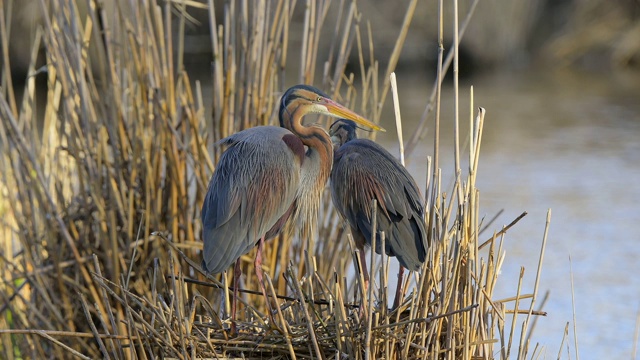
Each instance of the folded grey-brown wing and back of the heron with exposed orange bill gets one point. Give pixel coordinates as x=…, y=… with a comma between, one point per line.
x=253, y=186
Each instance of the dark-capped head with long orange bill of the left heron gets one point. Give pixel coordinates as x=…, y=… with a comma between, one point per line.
x=309, y=100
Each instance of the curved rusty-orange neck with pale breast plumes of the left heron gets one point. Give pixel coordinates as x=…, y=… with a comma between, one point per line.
x=315, y=169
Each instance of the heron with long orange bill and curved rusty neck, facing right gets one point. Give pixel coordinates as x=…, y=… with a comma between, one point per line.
x=264, y=178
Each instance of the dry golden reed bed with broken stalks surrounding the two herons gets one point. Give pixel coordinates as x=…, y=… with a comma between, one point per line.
x=101, y=198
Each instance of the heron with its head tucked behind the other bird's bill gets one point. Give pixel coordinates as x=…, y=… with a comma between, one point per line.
x=363, y=171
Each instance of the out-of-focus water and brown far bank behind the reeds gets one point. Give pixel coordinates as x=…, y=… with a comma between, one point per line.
x=560, y=81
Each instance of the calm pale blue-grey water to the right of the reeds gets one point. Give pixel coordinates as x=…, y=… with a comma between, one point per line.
x=569, y=142
